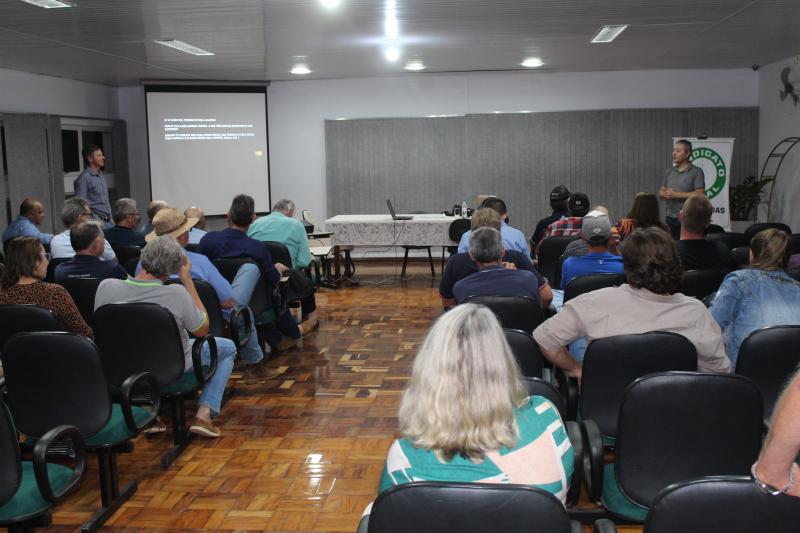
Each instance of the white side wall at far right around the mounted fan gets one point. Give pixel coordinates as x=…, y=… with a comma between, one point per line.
x=777, y=121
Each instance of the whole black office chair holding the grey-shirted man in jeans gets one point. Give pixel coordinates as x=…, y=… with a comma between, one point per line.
x=127, y=351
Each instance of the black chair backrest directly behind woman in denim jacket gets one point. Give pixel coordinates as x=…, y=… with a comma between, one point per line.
x=770, y=356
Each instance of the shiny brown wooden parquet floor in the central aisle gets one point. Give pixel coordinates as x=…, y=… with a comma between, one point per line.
x=303, y=452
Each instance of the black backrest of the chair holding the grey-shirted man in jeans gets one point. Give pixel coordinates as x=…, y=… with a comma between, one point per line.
x=138, y=337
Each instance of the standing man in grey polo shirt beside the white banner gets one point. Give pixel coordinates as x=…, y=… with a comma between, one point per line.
x=681, y=181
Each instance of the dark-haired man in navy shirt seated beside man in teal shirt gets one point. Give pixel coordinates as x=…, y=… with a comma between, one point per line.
x=233, y=242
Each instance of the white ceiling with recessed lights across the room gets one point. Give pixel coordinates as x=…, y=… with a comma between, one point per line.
x=111, y=41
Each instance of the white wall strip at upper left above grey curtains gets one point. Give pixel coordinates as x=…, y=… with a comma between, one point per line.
x=21, y=92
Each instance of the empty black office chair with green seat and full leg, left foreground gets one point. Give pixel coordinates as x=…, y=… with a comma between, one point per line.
x=55, y=379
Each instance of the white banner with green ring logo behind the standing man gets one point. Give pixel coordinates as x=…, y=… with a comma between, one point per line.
x=714, y=156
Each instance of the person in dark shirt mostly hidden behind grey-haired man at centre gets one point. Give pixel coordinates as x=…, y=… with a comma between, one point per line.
x=459, y=266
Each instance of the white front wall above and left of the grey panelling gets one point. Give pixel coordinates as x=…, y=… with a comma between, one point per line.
x=297, y=109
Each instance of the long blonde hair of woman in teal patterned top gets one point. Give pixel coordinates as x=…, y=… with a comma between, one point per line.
x=464, y=387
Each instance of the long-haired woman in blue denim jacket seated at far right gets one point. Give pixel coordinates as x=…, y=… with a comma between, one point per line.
x=760, y=295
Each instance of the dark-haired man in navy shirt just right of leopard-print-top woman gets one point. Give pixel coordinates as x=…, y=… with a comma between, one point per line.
x=87, y=240
